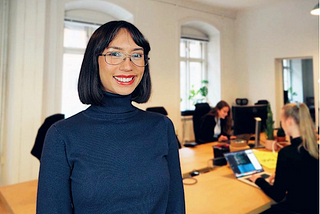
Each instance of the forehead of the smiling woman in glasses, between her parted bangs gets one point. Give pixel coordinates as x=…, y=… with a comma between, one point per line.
x=123, y=40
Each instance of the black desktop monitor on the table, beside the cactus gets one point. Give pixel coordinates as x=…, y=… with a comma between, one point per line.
x=243, y=118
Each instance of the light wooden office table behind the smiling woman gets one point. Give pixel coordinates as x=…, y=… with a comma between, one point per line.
x=217, y=191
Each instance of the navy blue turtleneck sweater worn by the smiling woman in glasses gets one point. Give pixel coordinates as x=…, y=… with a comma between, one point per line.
x=113, y=158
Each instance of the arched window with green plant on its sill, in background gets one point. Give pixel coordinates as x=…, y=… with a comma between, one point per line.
x=199, y=64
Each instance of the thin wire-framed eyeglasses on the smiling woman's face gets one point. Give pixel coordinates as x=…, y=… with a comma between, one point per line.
x=116, y=58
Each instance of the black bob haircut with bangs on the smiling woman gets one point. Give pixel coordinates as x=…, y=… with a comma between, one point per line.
x=90, y=88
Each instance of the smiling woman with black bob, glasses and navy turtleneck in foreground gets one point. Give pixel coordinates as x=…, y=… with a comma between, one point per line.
x=112, y=157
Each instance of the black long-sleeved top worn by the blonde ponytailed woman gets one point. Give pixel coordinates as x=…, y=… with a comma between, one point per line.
x=297, y=180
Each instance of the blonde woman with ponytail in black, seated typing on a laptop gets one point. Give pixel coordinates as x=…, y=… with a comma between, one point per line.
x=297, y=171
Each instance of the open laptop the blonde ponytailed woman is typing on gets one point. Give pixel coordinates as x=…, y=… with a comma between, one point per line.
x=244, y=163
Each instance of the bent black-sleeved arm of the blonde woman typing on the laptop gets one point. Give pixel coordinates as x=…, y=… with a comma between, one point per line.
x=277, y=191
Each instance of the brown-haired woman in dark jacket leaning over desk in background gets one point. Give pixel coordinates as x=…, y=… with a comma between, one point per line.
x=216, y=125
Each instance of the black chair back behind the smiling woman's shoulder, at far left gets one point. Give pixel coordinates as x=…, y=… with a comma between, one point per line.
x=38, y=144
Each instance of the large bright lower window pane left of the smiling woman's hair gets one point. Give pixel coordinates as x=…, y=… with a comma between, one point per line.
x=70, y=99
